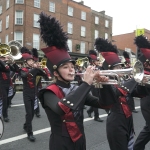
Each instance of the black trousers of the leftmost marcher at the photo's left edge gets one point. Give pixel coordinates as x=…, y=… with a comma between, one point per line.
x=4, y=89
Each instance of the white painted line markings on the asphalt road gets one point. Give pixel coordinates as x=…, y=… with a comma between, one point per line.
x=16, y=138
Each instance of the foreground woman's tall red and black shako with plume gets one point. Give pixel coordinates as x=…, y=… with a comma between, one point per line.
x=56, y=39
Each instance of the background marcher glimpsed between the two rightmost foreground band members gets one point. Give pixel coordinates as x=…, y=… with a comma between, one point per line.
x=128, y=65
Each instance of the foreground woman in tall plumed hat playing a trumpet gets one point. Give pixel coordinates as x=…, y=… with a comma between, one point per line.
x=63, y=102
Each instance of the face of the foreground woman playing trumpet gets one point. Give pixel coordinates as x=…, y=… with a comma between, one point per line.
x=67, y=71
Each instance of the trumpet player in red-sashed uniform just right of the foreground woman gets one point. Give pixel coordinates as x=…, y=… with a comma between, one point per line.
x=119, y=126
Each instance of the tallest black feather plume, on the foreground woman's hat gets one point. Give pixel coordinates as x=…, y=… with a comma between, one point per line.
x=52, y=32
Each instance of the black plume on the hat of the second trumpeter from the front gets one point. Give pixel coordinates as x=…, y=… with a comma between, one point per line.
x=103, y=45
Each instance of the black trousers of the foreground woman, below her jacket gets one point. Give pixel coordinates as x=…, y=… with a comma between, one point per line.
x=58, y=142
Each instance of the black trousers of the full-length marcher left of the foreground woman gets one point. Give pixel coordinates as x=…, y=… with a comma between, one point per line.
x=29, y=99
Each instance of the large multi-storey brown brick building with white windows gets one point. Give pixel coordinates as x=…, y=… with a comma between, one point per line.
x=18, y=21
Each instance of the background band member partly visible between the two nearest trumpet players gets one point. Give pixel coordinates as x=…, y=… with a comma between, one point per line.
x=95, y=91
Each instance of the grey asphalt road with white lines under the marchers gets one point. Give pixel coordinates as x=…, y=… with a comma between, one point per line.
x=14, y=137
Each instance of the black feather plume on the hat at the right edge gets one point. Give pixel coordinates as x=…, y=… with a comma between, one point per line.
x=141, y=42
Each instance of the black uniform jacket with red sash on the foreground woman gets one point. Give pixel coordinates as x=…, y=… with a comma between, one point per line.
x=62, y=111
